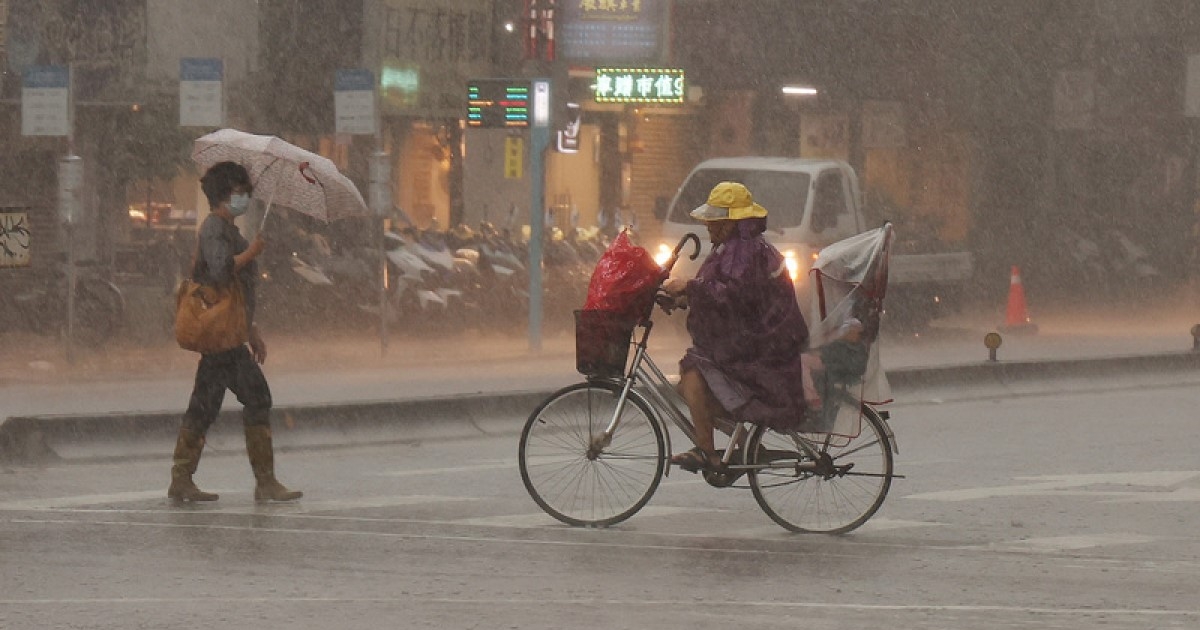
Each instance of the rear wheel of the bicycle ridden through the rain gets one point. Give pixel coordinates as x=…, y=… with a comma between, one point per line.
x=833, y=494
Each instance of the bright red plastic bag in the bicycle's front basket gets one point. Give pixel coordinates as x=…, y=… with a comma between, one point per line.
x=625, y=280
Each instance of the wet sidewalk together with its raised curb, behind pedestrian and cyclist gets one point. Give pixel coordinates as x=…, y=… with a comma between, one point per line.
x=338, y=385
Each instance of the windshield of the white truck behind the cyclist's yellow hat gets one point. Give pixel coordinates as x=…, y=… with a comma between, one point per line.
x=782, y=193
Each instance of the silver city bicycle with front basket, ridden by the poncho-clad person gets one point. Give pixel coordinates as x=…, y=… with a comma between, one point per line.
x=595, y=453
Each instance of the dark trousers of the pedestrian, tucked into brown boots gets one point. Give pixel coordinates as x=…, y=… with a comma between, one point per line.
x=236, y=371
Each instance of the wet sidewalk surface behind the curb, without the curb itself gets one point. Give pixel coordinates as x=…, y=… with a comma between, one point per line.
x=35, y=377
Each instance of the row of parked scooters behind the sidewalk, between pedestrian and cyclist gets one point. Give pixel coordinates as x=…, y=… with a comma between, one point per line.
x=437, y=281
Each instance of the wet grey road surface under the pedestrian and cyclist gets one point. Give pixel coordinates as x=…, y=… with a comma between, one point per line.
x=1070, y=511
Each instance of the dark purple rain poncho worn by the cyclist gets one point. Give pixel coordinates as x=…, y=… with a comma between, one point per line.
x=747, y=331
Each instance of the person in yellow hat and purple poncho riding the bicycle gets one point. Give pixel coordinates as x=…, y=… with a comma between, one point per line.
x=748, y=333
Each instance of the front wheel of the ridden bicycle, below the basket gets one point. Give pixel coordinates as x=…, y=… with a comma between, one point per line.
x=577, y=476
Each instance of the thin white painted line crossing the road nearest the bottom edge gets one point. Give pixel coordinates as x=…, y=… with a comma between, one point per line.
x=592, y=603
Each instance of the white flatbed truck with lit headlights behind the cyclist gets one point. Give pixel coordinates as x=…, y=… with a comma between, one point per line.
x=813, y=203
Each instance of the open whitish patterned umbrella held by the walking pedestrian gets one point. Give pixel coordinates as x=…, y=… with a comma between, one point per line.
x=284, y=173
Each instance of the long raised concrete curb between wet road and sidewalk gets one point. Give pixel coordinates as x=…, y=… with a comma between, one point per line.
x=118, y=436
